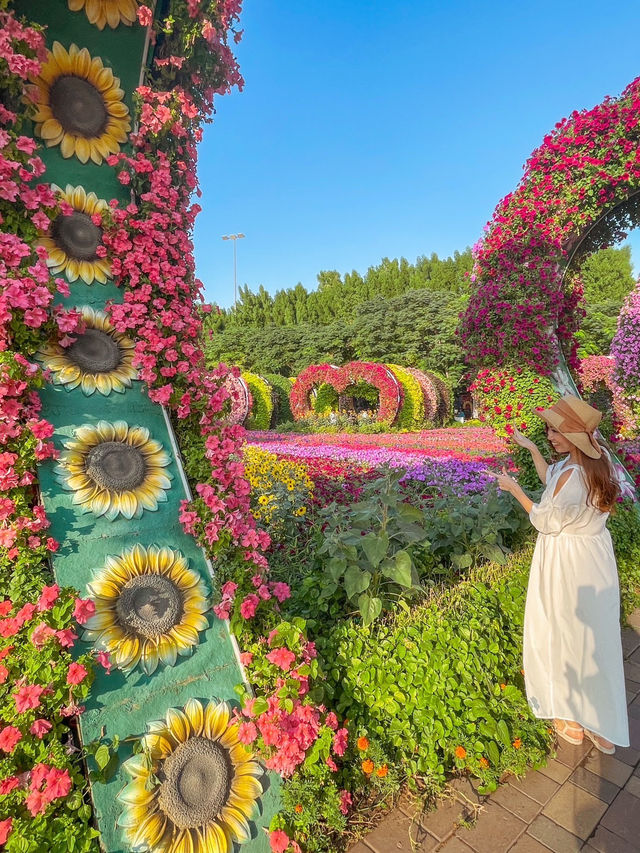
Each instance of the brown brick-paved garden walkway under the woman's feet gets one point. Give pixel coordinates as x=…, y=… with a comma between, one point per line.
x=582, y=800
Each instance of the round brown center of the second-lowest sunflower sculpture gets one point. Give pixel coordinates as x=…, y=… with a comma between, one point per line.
x=149, y=605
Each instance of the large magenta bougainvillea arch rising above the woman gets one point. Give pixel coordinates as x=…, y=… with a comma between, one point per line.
x=578, y=193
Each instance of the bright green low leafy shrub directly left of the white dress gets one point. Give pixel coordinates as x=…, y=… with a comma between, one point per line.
x=441, y=687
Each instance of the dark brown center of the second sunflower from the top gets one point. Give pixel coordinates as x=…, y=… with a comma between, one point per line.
x=78, y=106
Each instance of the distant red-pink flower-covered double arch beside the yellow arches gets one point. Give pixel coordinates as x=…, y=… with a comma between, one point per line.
x=341, y=378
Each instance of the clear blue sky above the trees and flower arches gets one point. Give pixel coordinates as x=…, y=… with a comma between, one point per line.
x=370, y=130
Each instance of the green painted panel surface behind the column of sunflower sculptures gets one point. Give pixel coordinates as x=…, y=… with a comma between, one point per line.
x=122, y=705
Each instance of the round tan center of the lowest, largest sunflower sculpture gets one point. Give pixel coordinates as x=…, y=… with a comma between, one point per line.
x=196, y=780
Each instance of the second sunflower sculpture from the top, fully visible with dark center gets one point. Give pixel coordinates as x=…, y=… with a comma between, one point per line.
x=79, y=105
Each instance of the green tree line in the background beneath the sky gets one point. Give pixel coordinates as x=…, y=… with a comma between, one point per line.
x=397, y=312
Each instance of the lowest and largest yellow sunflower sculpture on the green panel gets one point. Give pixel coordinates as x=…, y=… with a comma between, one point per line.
x=194, y=786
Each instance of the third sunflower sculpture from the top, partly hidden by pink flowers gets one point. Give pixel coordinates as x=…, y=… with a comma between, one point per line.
x=73, y=239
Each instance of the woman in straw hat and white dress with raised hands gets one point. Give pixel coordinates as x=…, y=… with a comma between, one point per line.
x=572, y=651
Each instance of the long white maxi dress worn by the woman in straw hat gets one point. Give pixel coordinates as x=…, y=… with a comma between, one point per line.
x=572, y=653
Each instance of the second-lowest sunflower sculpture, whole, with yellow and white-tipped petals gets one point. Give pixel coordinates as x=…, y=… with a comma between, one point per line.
x=149, y=608
